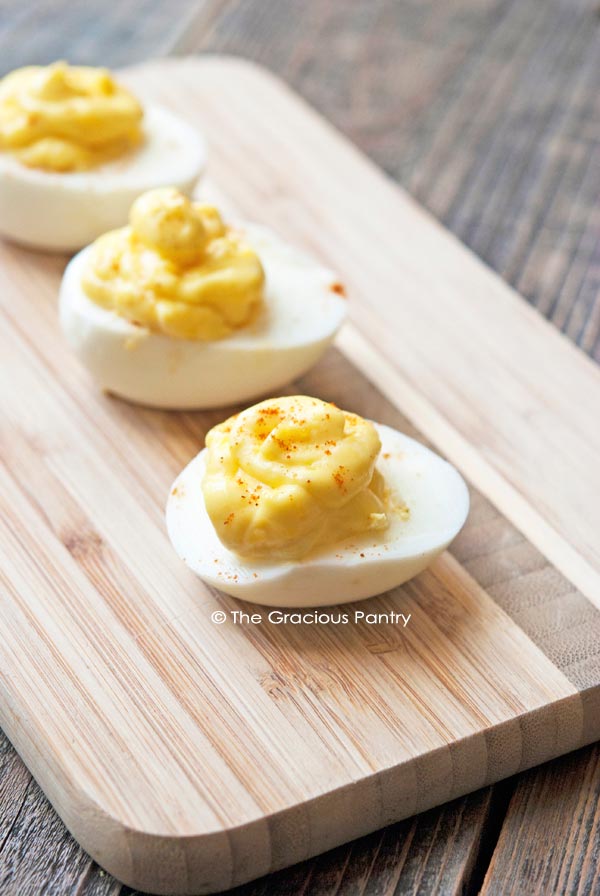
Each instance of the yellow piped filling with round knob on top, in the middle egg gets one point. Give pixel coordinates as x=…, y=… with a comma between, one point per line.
x=177, y=270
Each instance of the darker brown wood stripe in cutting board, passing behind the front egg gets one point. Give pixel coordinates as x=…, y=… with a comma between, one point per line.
x=544, y=604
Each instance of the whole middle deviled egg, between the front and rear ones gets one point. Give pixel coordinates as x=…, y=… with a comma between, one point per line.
x=180, y=310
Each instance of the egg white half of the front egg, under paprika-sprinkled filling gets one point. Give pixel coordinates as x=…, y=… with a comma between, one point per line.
x=434, y=492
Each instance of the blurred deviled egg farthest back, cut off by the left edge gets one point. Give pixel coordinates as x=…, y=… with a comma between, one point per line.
x=76, y=149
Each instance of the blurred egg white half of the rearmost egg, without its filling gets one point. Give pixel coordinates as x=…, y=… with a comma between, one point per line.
x=62, y=212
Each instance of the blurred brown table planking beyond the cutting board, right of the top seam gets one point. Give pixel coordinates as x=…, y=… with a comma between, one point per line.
x=486, y=111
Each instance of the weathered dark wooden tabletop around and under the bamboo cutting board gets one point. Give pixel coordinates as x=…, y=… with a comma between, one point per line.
x=487, y=112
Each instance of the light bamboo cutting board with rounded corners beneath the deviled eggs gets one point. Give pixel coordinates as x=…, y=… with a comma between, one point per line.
x=187, y=756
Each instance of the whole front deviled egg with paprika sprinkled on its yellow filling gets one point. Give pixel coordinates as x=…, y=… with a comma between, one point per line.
x=297, y=503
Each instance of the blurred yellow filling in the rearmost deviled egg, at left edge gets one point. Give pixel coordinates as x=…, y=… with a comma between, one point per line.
x=66, y=118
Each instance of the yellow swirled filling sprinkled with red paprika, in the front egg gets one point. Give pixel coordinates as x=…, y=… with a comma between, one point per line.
x=292, y=475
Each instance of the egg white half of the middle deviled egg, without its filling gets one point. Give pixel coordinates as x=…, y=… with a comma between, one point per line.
x=300, y=317
